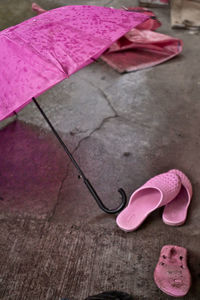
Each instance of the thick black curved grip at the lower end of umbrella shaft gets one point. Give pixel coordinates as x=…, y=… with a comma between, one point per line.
x=100, y=203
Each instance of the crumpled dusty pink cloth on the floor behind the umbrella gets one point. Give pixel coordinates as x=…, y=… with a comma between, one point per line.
x=142, y=47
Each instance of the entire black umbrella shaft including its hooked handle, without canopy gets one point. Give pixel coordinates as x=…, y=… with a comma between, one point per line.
x=85, y=180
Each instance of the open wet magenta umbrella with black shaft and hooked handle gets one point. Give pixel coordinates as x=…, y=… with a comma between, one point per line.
x=44, y=50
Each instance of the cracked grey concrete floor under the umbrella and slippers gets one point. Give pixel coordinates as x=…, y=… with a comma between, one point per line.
x=55, y=243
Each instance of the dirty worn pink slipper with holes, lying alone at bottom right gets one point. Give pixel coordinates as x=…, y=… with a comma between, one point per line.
x=171, y=274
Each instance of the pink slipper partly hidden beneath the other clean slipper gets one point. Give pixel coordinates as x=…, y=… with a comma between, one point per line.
x=175, y=213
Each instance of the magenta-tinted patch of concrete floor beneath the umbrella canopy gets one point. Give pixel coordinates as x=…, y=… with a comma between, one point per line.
x=32, y=169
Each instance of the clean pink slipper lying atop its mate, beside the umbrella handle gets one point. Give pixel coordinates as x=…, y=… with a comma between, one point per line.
x=156, y=192
